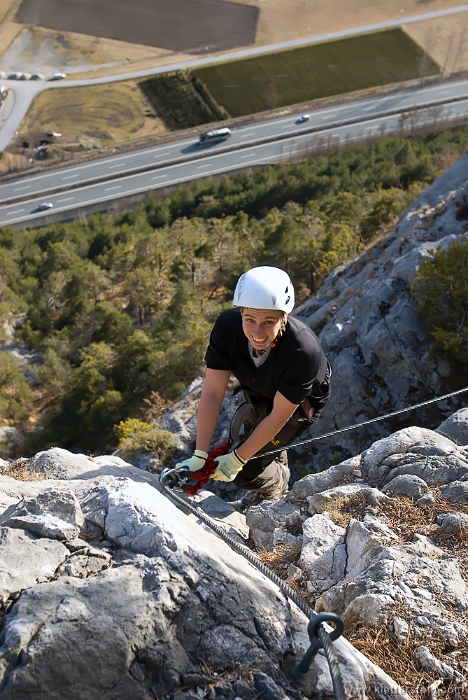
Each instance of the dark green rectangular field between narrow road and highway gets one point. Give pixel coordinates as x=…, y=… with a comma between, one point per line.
x=322, y=70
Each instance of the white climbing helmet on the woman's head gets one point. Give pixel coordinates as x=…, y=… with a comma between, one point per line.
x=265, y=288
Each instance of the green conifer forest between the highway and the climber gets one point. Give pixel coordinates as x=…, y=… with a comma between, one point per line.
x=119, y=307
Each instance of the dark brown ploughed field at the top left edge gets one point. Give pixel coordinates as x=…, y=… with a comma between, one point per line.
x=190, y=26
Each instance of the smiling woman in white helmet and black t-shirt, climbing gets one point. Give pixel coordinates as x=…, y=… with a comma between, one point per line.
x=282, y=372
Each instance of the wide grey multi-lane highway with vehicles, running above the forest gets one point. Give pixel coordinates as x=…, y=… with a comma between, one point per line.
x=260, y=143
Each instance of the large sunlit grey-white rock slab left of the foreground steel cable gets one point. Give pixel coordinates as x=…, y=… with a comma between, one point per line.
x=109, y=591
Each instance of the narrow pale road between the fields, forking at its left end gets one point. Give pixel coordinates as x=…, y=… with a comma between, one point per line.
x=25, y=91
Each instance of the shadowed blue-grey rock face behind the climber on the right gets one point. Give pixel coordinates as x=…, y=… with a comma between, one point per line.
x=367, y=324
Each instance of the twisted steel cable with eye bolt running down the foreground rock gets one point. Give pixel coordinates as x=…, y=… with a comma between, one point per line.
x=175, y=480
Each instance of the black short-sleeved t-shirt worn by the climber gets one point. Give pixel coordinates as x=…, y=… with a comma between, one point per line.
x=296, y=366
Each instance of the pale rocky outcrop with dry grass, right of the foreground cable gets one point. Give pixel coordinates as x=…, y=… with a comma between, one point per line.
x=384, y=542
